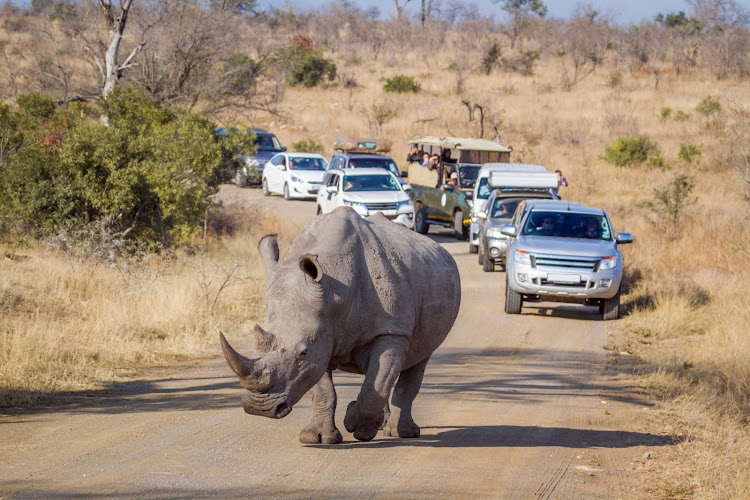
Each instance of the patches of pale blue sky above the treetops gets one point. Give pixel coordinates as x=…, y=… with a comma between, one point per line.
x=623, y=12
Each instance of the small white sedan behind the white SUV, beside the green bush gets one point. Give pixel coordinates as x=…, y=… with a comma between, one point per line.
x=294, y=175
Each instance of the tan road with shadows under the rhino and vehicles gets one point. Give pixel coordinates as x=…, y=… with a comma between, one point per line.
x=528, y=406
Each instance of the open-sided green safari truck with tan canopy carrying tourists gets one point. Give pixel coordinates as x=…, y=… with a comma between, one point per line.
x=436, y=199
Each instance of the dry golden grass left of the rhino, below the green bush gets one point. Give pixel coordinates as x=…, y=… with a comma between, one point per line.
x=68, y=325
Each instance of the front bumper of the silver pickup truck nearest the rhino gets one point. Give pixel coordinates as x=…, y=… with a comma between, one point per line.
x=565, y=284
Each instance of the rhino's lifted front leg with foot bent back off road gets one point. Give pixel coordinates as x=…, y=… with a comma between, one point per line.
x=365, y=415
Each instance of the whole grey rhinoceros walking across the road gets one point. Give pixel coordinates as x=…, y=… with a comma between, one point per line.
x=364, y=296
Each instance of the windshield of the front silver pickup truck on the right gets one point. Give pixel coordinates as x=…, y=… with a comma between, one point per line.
x=567, y=225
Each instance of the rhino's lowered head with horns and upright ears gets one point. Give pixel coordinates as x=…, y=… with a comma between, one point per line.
x=294, y=351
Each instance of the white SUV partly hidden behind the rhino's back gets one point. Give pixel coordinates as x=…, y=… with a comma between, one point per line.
x=367, y=191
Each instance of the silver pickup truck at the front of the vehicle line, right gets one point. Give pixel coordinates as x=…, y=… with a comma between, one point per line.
x=563, y=252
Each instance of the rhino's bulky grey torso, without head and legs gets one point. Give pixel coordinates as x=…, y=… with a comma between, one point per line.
x=381, y=278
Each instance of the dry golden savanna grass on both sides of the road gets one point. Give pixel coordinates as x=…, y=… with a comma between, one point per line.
x=67, y=324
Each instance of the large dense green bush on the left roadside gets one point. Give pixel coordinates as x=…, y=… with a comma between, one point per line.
x=150, y=172
